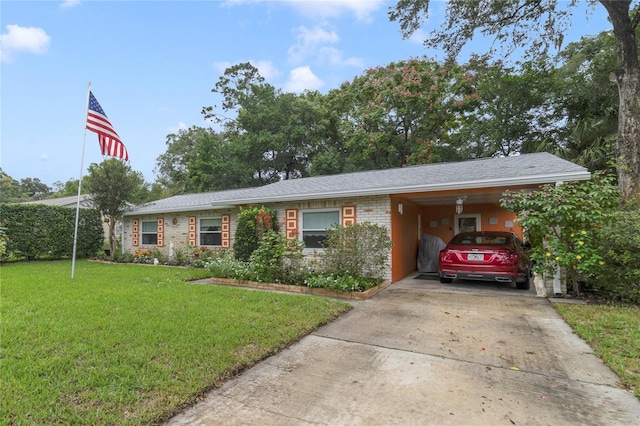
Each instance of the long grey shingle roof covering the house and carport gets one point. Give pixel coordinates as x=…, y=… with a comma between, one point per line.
x=523, y=169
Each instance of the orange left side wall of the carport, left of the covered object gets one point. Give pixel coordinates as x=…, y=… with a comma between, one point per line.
x=404, y=234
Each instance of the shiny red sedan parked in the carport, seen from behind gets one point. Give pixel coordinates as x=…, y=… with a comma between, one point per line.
x=486, y=256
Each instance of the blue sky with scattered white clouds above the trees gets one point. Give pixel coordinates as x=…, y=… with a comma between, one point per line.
x=152, y=65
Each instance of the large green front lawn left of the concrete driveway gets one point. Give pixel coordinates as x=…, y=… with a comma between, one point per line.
x=132, y=344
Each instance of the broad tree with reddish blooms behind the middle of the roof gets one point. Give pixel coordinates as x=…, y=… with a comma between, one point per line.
x=403, y=113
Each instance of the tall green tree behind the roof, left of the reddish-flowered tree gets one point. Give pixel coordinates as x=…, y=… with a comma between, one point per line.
x=274, y=134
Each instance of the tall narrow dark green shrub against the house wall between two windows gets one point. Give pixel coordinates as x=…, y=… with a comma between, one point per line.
x=253, y=222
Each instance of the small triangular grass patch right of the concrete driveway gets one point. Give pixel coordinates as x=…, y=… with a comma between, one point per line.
x=614, y=334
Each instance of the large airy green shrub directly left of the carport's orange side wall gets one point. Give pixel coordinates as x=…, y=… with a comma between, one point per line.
x=360, y=250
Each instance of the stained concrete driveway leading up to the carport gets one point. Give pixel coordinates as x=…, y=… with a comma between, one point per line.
x=424, y=353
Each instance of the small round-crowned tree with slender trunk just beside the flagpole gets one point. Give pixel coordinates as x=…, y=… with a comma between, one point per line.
x=113, y=185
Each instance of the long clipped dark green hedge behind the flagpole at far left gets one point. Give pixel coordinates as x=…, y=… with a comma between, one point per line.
x=36, y=231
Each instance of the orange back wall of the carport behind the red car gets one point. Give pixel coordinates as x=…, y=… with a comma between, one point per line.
x=439, y=220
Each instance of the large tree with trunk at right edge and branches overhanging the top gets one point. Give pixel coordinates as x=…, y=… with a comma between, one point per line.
x=542, y=24
